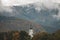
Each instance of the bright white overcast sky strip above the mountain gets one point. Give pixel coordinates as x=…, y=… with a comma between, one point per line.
x=23, y=2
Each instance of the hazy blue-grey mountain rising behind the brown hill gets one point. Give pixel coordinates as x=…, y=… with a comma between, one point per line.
x=38, y=15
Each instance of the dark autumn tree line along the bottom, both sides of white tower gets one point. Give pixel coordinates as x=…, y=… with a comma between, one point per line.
x=23, y=35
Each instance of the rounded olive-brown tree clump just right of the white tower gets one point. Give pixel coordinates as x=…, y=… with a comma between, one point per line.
x=42, y=36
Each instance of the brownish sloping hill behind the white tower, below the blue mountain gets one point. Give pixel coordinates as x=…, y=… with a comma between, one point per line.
x=15, y=24
